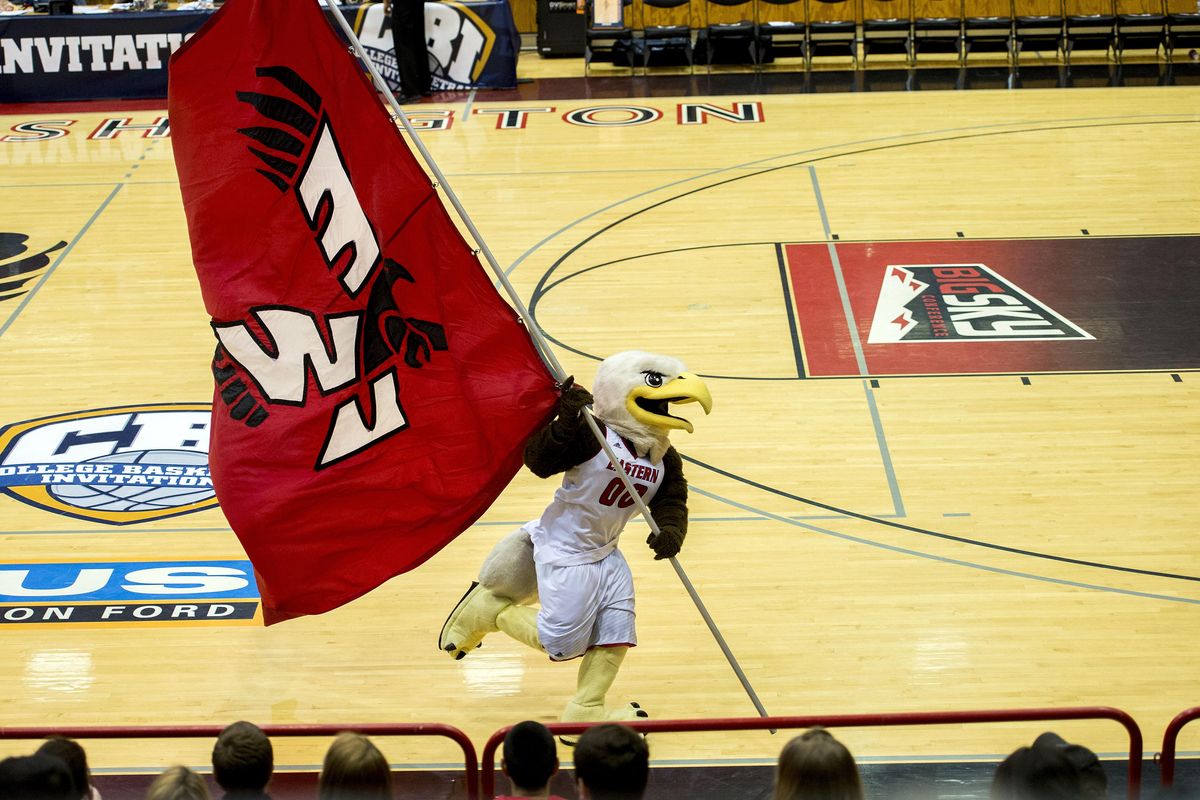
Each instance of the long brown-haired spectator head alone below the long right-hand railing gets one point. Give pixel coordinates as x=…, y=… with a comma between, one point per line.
x=815, y=766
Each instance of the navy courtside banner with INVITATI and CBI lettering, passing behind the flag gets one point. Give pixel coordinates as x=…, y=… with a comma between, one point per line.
x=124, y=56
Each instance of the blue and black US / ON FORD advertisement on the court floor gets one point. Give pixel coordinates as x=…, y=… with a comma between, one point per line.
x=136, y=593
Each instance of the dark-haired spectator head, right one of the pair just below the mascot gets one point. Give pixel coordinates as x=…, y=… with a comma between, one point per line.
x=611, y=763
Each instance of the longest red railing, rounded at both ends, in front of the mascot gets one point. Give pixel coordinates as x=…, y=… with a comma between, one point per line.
x=488, y=759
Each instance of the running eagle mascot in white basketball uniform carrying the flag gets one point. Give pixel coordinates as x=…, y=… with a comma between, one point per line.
x=568, y=560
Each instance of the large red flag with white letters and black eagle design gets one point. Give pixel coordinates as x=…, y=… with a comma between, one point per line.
x=374, y=393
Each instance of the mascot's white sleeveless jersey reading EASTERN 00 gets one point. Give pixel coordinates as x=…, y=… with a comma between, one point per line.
x=590, y=510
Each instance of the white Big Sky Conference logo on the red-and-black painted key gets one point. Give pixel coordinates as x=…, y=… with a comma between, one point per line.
x=962, y=303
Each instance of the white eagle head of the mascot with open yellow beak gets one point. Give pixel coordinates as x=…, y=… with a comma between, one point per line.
x=634, y=392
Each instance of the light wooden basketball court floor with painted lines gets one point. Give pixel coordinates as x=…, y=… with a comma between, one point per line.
x=878, y=526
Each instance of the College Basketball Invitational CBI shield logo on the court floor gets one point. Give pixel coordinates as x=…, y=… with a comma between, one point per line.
x=118, y=466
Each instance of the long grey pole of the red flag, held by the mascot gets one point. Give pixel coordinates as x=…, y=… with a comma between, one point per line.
x=539, y=340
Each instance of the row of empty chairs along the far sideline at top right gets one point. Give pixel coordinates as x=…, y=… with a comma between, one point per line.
x=639, y=33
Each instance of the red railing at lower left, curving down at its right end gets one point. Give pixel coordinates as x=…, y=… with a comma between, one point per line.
x=471, y=760
